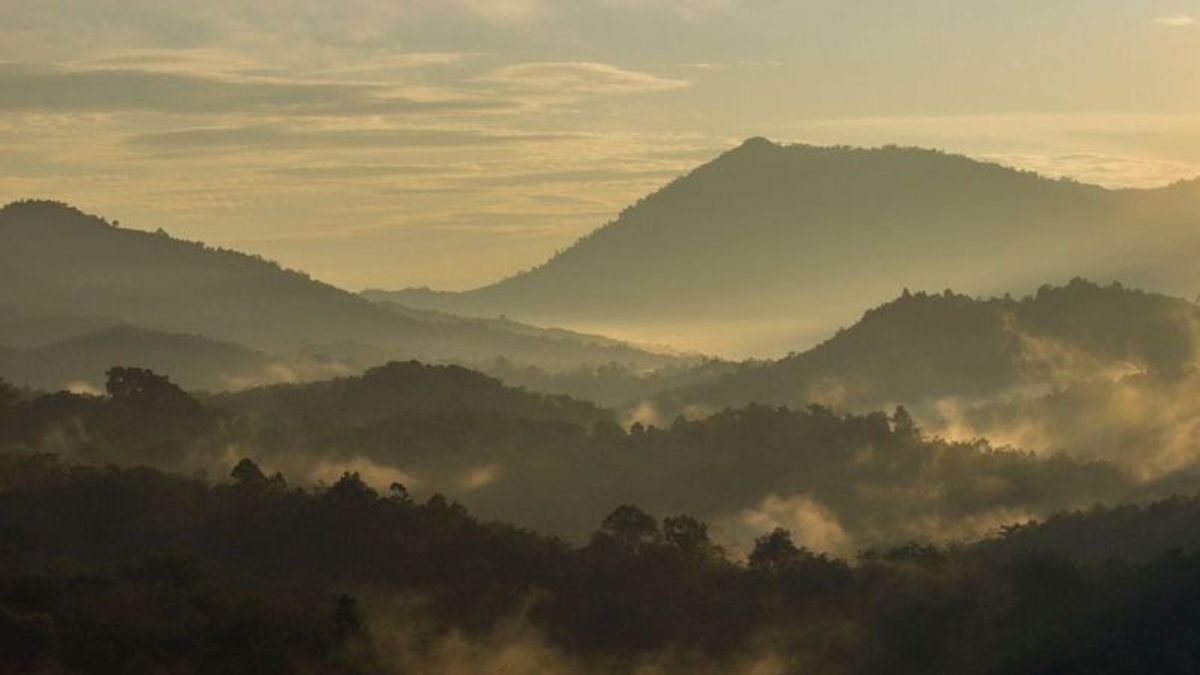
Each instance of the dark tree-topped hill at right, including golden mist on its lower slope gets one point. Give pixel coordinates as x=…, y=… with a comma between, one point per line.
x=1094, y=372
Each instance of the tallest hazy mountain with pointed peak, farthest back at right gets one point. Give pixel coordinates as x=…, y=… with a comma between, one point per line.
x=772, y=243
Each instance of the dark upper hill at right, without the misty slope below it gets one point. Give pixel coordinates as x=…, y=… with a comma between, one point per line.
x=925, y=348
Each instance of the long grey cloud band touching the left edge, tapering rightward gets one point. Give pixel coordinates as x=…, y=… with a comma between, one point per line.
x=38, y=88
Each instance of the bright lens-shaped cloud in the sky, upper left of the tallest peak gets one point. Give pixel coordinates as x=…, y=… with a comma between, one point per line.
x=578, y=79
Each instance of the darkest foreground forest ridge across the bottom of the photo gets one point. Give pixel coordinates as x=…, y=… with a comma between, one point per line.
x=134, y=571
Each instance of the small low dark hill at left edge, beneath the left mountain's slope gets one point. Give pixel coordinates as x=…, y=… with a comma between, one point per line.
x=195, y=362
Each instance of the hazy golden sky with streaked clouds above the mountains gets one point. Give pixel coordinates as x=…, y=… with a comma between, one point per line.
x=453, y=142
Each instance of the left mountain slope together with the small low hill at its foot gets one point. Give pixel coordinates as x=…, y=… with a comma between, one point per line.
x=65, y=274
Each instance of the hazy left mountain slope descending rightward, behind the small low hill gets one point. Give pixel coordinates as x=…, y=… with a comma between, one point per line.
x=62, y=264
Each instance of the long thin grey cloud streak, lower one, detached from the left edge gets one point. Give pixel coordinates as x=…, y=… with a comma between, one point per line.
x=278, y=138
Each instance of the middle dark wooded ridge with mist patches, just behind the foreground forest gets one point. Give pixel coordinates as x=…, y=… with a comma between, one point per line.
x=841, y=482
